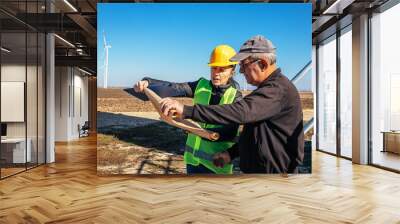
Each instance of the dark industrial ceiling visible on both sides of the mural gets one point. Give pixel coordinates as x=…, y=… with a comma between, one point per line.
x=76, y=22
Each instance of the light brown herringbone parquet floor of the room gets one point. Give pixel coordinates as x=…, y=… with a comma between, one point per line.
x=69, y=191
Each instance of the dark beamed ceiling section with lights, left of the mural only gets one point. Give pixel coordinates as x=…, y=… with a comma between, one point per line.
x=74, y=21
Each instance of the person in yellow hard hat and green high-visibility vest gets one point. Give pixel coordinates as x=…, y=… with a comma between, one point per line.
x=221, y=89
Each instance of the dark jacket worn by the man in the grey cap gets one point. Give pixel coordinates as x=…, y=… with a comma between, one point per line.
x=272, y=139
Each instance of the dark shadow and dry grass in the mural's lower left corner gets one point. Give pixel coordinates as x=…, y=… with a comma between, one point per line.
x=151, y=149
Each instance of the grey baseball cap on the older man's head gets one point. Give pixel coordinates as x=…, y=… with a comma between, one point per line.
x=256, y=44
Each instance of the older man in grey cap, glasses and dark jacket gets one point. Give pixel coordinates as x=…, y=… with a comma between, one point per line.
x=272, y=139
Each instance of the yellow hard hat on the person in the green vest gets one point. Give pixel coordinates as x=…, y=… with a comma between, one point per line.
x=221, y=55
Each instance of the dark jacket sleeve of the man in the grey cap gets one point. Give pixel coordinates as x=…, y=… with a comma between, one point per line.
x=261, y=104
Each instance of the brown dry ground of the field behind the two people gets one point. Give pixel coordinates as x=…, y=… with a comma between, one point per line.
x=132, y=140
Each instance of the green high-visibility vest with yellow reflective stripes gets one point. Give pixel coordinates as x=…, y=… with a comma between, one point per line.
x=201, y=151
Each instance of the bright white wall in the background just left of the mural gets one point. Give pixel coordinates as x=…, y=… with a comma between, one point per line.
x=71, y=93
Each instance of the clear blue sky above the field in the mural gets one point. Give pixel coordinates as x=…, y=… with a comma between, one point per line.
x=173, y=41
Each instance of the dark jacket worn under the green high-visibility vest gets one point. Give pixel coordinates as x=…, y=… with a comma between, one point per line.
x=187, y=89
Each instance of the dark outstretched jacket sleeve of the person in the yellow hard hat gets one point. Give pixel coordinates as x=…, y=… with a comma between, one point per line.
x=171, y=89
